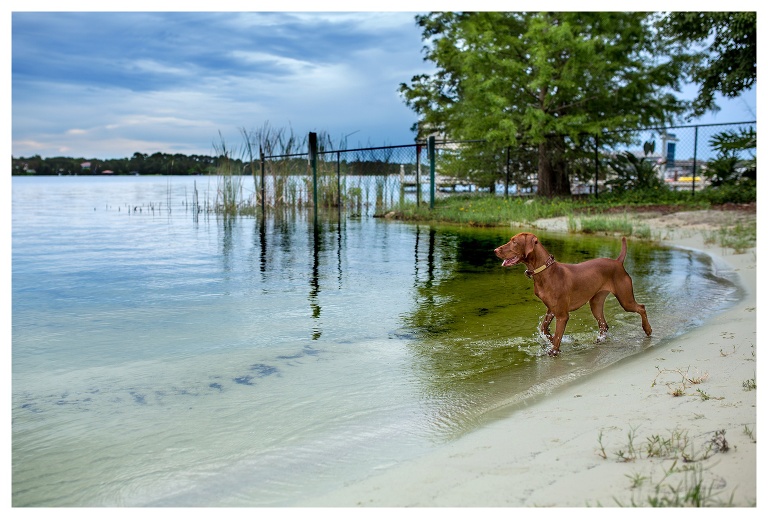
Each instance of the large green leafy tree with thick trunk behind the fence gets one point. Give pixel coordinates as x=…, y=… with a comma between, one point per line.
x=550, y=82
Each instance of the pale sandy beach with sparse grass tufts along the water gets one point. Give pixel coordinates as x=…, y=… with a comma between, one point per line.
x=676, y=424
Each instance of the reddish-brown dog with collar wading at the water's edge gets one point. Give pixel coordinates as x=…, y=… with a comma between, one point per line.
x=566, y=287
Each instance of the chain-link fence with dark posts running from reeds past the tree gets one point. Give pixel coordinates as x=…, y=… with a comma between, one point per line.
x=373, y=181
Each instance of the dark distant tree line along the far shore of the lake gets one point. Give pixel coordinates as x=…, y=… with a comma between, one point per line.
x=138, y=164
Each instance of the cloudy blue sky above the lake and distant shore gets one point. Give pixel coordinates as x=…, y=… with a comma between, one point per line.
x=106, y=85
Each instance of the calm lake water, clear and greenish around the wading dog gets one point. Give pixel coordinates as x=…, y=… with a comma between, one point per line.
x=162, y=360
